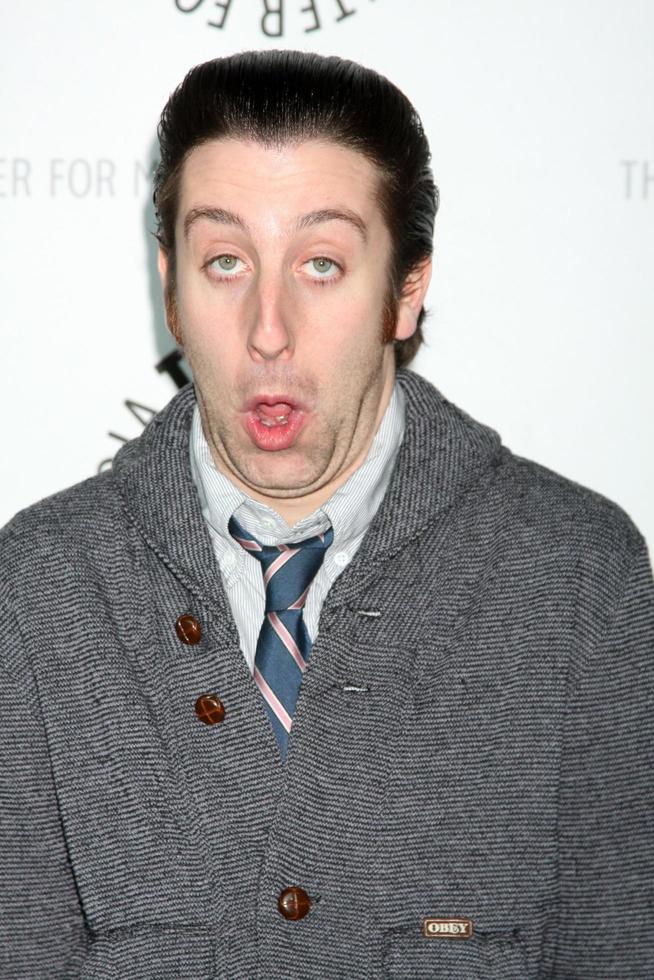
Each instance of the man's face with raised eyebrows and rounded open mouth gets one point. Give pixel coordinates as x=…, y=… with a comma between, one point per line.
x=282, y=270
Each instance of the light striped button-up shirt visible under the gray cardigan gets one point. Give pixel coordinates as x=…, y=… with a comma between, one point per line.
x=349, y=511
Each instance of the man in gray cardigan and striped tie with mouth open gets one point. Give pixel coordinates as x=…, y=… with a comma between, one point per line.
x=321, y=680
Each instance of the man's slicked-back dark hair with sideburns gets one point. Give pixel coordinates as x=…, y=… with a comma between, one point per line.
x=278, y=97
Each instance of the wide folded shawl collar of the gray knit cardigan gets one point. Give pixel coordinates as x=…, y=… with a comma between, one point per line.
x=444, y=454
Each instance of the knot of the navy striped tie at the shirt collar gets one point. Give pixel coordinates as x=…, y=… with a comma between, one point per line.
x=288, y=569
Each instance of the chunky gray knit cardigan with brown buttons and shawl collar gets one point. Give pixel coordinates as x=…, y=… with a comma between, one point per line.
x=473, y=736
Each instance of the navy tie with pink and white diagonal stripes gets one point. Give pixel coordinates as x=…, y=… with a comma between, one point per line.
x=284, y=645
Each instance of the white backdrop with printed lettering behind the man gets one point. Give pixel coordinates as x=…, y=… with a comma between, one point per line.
x=542, y=309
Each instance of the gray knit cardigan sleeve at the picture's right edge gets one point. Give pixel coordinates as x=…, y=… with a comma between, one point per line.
x=606, y=864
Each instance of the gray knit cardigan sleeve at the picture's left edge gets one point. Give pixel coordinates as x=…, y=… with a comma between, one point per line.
x=42, y=931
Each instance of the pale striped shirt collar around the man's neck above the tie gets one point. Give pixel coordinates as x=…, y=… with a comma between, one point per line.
x=349, y=510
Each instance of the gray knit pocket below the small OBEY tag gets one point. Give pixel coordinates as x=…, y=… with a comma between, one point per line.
x=493, y=955
